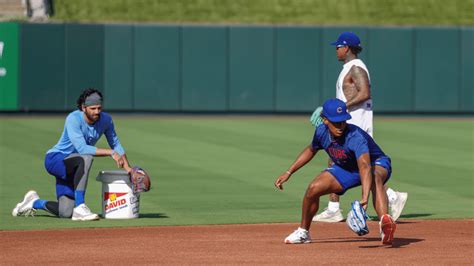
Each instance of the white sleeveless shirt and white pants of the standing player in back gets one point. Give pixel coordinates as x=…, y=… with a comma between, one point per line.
x=362, y=115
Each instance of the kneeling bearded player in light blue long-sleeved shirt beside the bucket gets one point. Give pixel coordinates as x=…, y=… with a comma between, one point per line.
x=71, y=158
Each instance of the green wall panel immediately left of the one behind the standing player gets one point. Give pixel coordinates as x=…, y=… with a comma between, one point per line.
x=298, y=72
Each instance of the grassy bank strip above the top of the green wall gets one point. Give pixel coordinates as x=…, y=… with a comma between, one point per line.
x=309, y=12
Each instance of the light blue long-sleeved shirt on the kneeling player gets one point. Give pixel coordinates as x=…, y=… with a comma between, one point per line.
x=80, y=137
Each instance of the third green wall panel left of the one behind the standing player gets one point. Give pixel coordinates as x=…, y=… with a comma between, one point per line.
x=204, y=68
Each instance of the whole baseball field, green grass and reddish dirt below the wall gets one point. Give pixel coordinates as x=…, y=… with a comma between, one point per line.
x=219, y=170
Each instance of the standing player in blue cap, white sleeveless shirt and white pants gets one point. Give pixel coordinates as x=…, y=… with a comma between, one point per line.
x=353, y=87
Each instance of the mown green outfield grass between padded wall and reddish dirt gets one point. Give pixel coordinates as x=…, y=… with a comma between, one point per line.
x=220, y=170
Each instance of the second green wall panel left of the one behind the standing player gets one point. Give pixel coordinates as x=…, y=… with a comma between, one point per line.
x=251, y=68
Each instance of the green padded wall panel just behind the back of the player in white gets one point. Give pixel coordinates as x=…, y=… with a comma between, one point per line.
x=391, y=69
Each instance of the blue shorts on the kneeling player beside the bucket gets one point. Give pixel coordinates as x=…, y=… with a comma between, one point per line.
x=54, y=164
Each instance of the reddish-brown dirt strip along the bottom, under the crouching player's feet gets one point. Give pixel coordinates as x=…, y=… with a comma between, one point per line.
x=416, y=242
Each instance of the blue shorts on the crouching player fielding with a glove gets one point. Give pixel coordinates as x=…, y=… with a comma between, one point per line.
x=352, y=179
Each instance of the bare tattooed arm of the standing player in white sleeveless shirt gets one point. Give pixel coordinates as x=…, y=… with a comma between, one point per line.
x=361, y=82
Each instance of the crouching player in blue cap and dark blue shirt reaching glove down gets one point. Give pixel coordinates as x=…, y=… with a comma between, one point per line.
x=358, y=160
